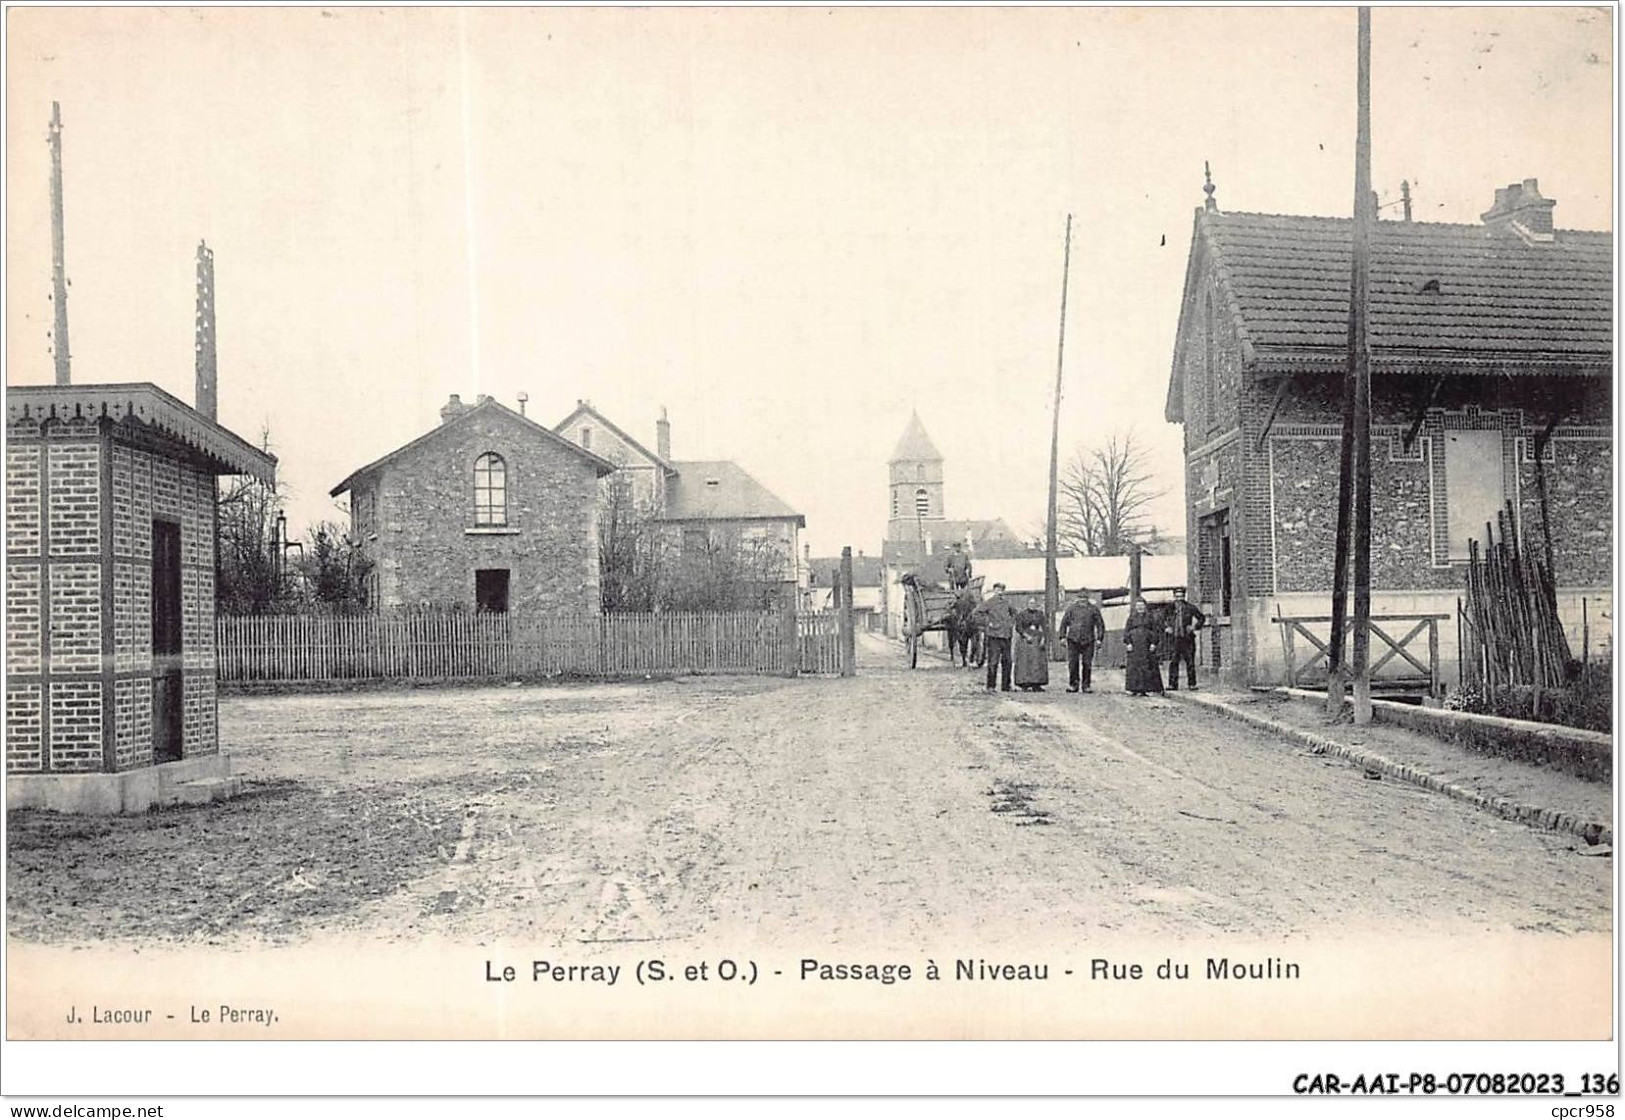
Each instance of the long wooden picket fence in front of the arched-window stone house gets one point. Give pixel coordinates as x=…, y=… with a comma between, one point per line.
x=423, y=646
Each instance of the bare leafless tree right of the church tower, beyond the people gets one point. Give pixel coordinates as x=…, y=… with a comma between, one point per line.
x=1106, y=498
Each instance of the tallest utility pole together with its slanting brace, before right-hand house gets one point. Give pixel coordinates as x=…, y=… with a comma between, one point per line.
x=1354, y=471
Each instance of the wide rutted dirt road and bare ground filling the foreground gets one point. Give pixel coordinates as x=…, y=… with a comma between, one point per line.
x=891, y=807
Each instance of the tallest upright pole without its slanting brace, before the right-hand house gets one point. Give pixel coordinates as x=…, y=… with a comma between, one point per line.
x=1361, y=354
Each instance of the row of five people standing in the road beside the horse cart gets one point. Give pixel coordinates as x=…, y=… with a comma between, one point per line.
x=1016, y=653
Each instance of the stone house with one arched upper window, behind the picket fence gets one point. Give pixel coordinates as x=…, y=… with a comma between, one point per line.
x=490, y=511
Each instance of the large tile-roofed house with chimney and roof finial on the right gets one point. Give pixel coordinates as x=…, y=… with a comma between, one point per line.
x=1491, y=383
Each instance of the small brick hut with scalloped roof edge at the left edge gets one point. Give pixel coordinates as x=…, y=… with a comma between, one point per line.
x=111, y=594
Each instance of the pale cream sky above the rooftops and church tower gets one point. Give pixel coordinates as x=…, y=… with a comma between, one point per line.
x=787, y=227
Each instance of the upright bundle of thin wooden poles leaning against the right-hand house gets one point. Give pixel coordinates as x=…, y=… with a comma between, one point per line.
x=1512, y=606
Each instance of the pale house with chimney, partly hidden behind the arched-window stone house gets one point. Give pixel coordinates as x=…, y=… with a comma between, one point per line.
x=703, y=505
